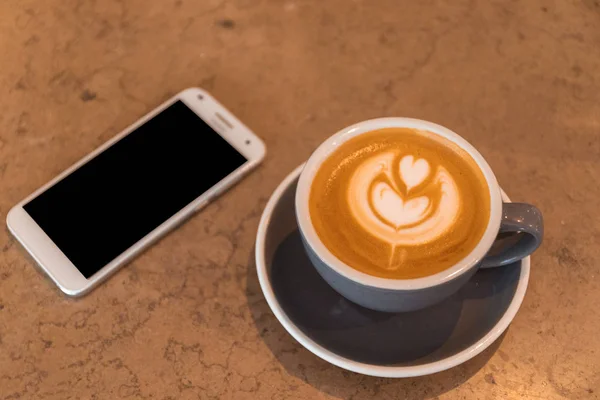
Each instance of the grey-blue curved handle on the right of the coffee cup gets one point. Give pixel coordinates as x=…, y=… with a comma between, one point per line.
x=522, y=225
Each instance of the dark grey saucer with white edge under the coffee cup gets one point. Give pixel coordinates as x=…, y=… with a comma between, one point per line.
x=370, y=342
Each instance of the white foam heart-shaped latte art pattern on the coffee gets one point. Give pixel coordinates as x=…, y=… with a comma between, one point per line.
x=385, y=208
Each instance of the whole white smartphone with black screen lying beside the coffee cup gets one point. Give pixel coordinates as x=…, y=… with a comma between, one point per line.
x=98, y=214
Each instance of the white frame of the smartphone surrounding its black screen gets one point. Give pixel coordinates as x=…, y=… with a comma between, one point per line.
x=54, y=262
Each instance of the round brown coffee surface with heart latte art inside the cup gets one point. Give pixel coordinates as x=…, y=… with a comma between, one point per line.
x=399, y=203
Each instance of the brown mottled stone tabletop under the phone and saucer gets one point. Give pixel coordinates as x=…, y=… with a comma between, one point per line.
x=187, y=320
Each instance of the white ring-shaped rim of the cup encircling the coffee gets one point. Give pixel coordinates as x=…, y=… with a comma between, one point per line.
x=332, y=143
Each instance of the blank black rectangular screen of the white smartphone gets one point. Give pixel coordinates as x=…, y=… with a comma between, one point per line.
x=118, y=197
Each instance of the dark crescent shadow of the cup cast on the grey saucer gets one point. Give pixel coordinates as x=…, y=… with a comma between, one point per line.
x=348, y=329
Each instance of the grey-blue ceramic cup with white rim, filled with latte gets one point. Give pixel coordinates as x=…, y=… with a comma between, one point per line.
x=396, y=214
